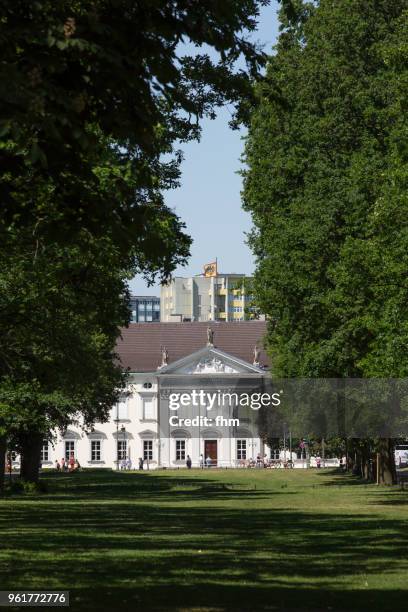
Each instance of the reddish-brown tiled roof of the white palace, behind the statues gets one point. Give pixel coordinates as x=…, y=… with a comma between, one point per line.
x=141, y=343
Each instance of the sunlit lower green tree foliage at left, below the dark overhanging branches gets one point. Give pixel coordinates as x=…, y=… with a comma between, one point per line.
x=61, y=307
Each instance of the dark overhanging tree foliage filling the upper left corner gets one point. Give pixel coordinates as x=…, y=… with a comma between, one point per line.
x=92, y=94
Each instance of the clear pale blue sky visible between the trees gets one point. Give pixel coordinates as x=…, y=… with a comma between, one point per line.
x=209, y=200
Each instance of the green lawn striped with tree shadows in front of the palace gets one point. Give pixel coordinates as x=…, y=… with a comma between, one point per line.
x=210, y=540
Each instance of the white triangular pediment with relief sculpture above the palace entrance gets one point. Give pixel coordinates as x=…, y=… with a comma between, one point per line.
x=210, y=360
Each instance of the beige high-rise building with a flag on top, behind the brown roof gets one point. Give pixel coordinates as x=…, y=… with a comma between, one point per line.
x=205, y=298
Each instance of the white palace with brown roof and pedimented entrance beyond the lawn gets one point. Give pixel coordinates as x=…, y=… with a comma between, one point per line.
x=165, y=361
